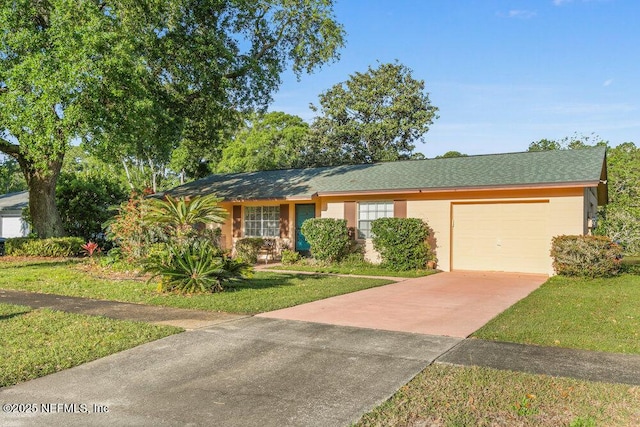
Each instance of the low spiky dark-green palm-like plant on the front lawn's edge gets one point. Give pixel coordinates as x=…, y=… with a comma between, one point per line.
x=194, y=266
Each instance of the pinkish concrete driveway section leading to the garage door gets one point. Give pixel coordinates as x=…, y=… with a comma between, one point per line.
x=452, y=304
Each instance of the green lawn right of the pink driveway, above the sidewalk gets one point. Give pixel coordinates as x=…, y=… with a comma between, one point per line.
x=590, y=314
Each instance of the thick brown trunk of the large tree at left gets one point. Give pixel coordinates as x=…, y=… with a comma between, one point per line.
x=45, y=218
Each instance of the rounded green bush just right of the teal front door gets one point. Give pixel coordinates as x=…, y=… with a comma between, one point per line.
x=327, y=237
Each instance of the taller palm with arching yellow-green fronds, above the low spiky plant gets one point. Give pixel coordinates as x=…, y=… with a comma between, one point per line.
x=181, y=215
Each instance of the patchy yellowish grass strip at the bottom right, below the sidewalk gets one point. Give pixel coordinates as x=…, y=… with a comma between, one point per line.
x=443, y=395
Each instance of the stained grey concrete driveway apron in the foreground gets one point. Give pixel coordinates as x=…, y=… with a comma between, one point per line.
x=246, y=372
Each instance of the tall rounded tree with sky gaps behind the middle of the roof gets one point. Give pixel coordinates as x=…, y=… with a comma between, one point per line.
x=374, y=116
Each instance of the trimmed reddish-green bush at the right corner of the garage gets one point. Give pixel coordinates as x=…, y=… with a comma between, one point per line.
x=590, y=256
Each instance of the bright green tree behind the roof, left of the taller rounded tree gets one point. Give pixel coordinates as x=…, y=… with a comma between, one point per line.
x=271, y=141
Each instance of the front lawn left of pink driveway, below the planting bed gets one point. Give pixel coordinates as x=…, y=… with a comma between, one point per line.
x=265, y=291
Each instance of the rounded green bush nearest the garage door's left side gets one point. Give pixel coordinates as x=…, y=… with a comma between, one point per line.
x=401, y=242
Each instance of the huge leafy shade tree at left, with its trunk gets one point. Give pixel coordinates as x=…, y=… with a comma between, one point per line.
x=135, y=78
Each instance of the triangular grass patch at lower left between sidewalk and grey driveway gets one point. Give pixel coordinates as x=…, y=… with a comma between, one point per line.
x=34, y=343
